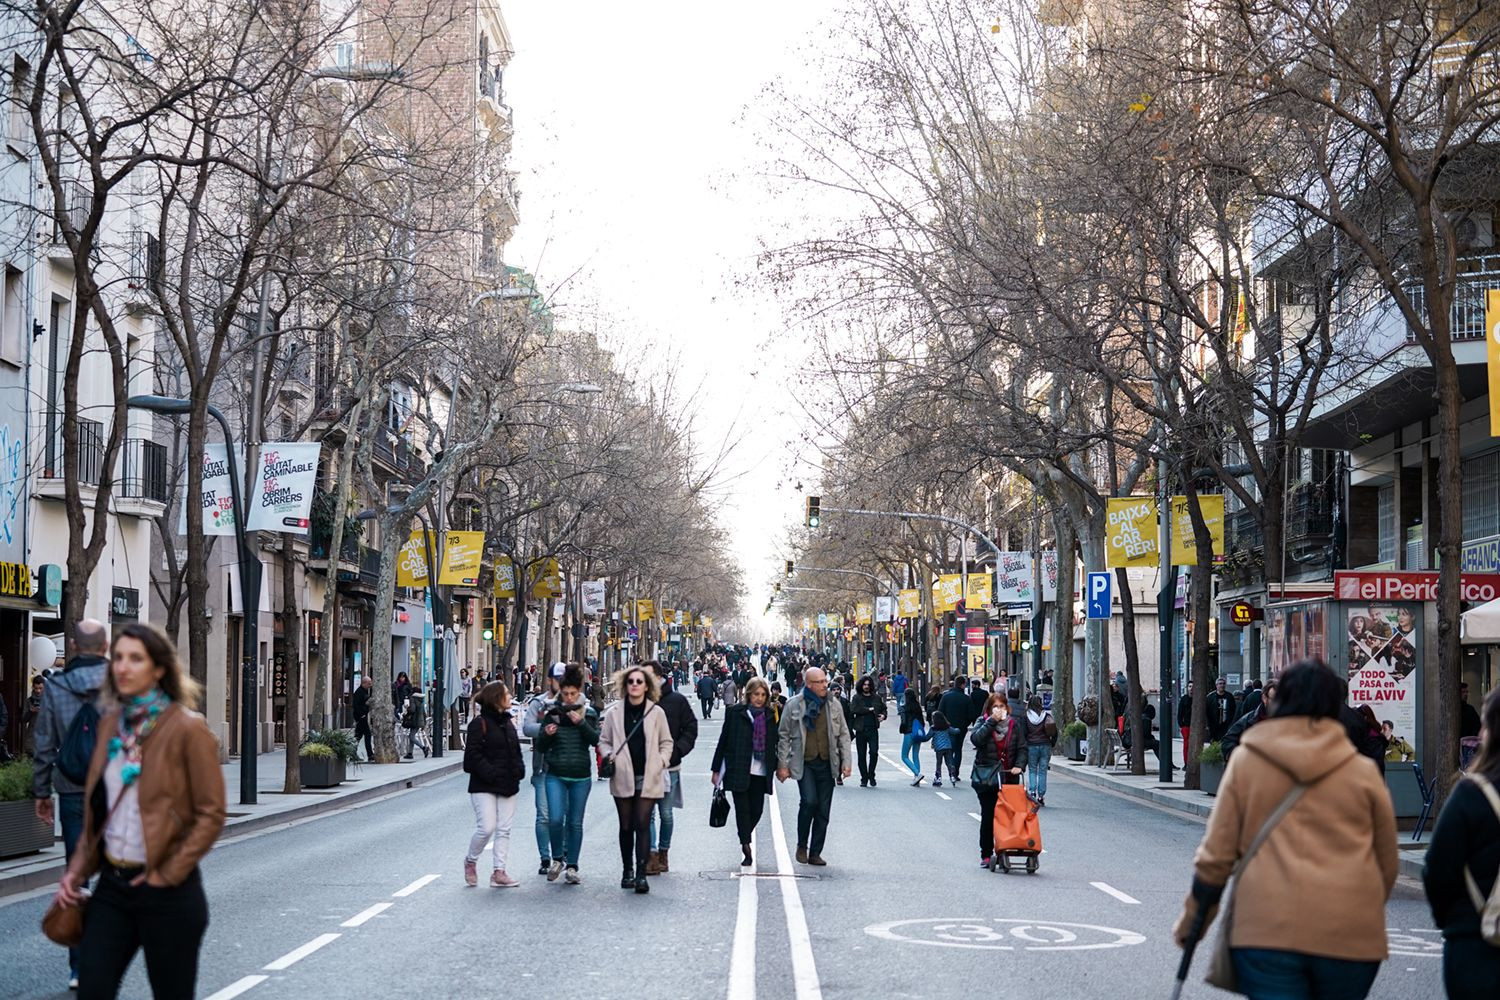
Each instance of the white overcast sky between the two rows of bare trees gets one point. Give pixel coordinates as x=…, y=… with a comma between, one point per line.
x=641, y=172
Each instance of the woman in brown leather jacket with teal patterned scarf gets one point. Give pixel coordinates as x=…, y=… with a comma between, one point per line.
x=154, y=807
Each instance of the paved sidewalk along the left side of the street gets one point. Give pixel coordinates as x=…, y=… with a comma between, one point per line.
x=272, y=807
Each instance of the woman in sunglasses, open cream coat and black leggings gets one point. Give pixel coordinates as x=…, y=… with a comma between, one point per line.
x=637, y=738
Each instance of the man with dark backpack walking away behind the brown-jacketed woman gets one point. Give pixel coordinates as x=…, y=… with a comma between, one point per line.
x=64, y=696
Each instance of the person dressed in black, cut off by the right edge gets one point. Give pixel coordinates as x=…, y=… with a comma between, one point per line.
x=1463, y=864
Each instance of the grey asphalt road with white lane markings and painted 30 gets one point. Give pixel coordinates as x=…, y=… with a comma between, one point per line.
x=371, y=903
